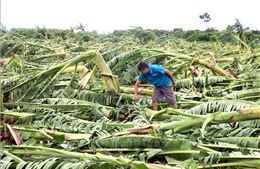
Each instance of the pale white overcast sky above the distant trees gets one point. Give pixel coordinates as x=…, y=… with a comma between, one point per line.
x=109, y=15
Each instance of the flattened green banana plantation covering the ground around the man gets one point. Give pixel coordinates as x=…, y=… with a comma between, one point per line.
x=66, y=101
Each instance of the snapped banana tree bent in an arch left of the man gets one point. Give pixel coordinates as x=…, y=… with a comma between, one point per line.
x=28, y=86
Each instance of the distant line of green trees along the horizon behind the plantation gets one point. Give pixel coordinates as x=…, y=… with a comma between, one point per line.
x=143, y=36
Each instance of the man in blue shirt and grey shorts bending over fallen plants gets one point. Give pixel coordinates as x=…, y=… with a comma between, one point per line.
x=163, y=81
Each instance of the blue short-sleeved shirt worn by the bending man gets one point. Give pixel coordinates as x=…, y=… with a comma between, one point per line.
x=156, y=76
